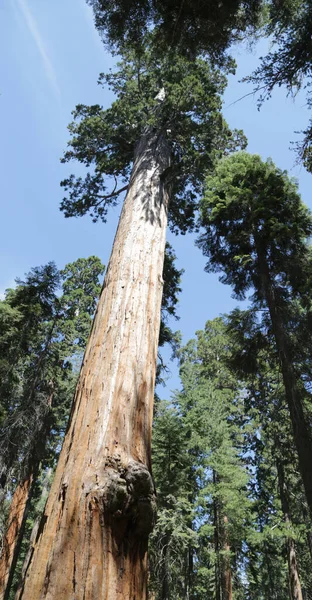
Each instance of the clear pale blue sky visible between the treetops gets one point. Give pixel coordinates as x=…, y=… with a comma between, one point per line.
x=52, y=56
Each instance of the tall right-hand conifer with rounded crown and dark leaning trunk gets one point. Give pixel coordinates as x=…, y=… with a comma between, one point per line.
x=256, y=231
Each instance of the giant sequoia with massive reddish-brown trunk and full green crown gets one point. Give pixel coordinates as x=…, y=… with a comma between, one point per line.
x=166, y=127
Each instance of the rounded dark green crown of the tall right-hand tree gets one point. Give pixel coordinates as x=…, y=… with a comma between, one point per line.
x=245, y=200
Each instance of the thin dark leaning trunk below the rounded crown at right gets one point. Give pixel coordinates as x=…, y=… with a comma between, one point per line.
x=300, y=424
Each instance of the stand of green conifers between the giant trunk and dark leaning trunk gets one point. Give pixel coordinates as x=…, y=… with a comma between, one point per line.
x=224, y=463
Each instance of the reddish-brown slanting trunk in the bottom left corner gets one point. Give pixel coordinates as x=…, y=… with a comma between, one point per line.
x=12, y=538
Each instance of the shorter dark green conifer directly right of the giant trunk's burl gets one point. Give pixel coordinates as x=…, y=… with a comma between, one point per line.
x=173, y=534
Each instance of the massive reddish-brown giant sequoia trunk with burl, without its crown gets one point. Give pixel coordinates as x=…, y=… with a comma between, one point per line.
x=92, y=540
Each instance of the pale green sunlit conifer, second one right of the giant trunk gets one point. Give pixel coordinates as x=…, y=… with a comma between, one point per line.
x=211, y=403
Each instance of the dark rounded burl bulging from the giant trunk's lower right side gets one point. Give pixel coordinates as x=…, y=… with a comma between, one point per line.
x=129, y=498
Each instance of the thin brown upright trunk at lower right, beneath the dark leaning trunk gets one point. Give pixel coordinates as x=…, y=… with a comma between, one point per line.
x=295, y=592
